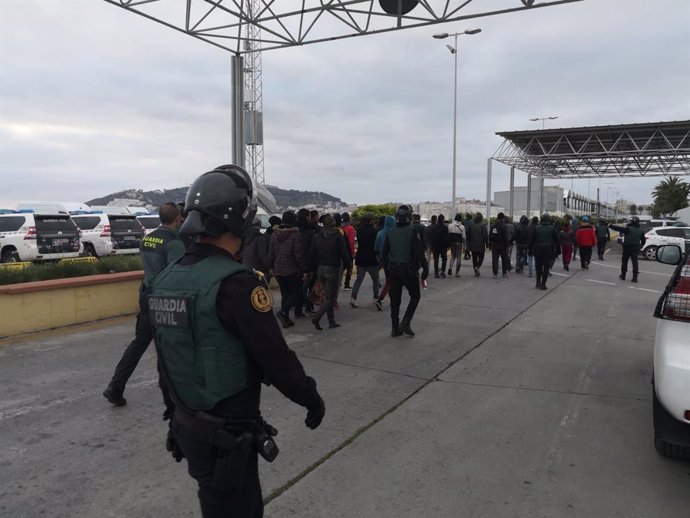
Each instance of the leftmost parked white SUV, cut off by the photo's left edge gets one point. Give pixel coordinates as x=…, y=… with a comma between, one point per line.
x=26, y=236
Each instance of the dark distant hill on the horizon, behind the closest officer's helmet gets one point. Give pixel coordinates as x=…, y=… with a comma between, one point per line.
x=284, y=197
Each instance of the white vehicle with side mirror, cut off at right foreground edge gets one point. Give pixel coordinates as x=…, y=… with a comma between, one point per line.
x=671, y=381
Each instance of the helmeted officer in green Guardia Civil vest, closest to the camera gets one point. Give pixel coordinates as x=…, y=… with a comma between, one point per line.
x=217, y=340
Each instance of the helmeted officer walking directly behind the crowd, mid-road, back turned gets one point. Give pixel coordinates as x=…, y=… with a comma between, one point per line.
x=403, y=255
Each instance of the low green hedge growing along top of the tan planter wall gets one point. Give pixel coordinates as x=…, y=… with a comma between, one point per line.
x=48, y=271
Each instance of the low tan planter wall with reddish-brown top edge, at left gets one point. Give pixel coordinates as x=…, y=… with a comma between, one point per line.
x=38, y=306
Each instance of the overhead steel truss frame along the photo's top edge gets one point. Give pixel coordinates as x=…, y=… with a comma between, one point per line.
x=280, y=24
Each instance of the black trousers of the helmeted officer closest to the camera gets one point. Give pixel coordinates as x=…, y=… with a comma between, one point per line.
x=229, y=502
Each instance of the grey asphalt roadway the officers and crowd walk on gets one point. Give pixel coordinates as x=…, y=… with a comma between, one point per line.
x=509, y=402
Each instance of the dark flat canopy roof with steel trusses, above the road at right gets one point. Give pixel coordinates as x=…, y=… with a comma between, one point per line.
x=650, y=149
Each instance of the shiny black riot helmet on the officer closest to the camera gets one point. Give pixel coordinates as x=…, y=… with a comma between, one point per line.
x=220, y=201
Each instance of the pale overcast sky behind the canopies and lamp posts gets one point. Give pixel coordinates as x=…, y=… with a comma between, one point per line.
x=94, y=99
